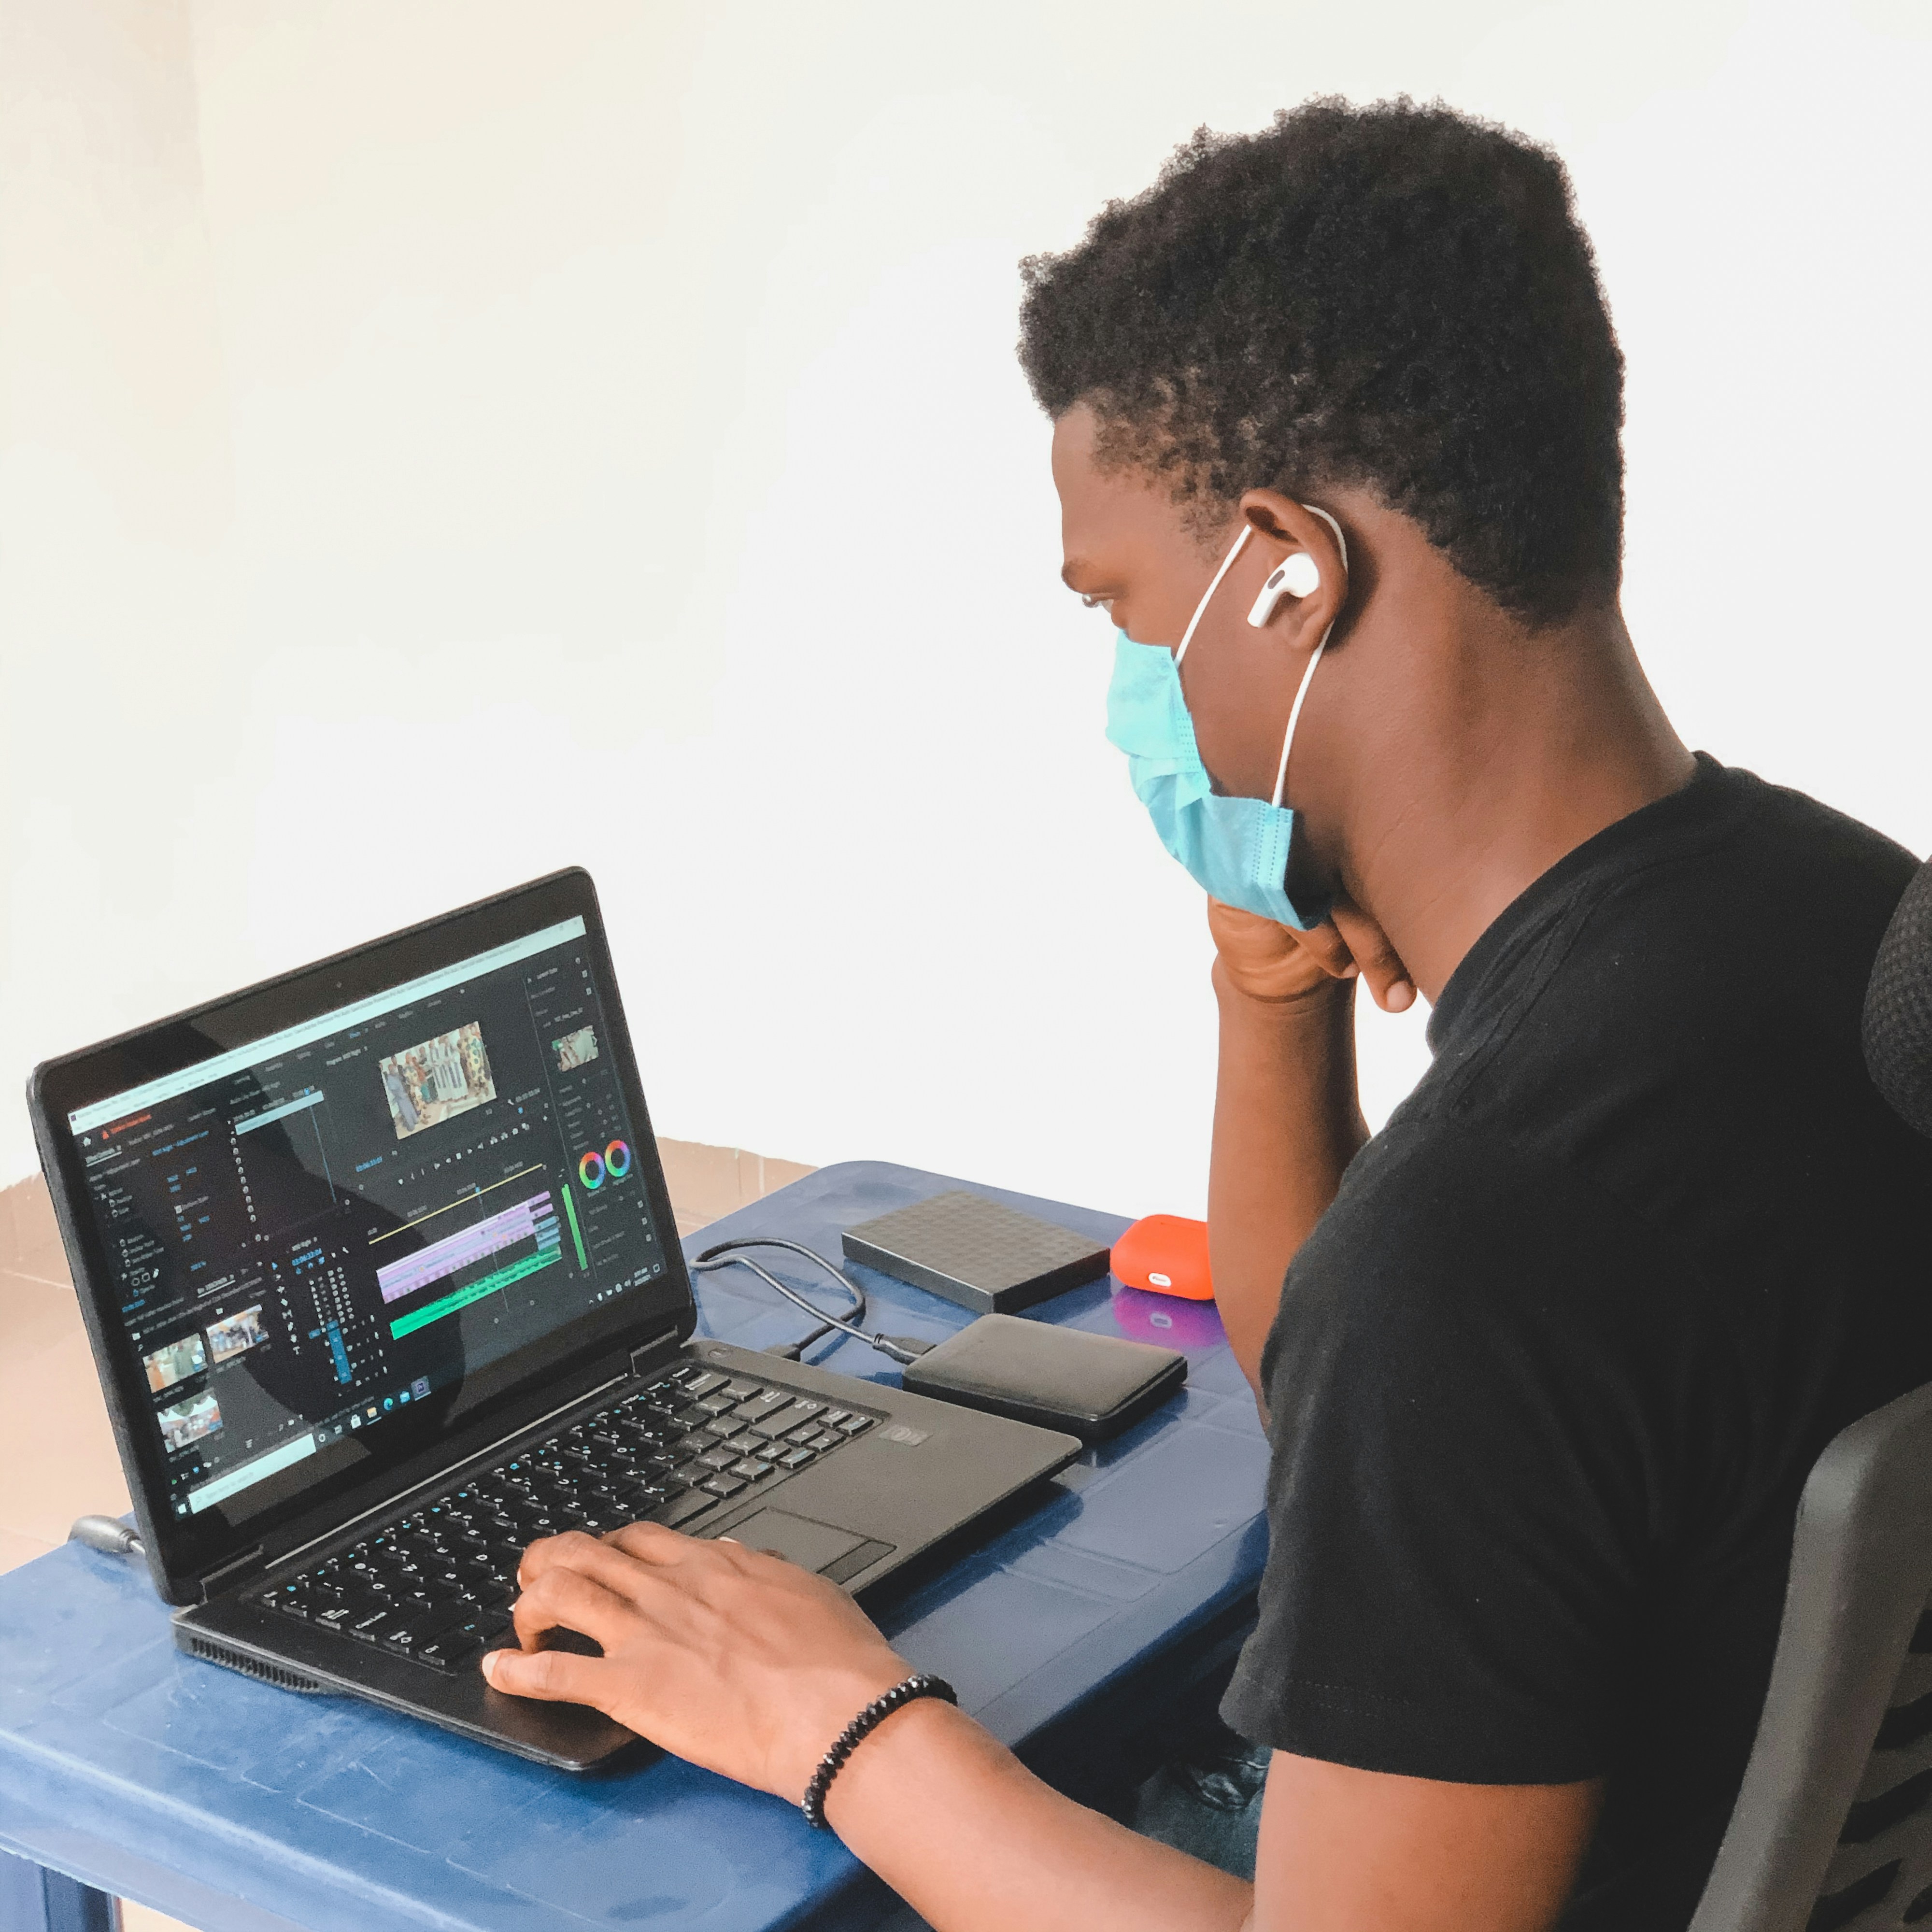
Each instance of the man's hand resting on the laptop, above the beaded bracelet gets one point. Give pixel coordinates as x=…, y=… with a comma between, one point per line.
x=731, y=1659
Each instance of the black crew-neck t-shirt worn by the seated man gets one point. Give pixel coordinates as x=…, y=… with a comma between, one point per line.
x=1552, y=1371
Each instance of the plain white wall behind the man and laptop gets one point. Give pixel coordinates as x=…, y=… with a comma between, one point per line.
x=447, y=440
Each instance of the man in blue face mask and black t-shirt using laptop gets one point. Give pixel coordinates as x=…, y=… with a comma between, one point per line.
x=1338, y=443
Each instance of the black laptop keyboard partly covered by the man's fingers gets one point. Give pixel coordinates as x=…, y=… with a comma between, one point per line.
x=436, y=1585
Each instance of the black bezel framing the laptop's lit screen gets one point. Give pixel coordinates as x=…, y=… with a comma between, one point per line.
x=188, y=1554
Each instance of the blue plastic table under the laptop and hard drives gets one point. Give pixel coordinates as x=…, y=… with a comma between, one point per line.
x=246, y=1809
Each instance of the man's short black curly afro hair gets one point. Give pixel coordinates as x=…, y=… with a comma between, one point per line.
x=1384, y=297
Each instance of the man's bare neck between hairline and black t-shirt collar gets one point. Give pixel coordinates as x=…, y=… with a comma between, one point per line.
x=1523, y=749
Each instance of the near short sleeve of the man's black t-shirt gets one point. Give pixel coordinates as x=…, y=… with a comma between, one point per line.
x=1465, y=1473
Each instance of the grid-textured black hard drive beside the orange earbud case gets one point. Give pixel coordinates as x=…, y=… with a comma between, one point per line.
x=977, y=1253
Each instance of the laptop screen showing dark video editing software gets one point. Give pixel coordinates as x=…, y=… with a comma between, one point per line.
x=322, y=1236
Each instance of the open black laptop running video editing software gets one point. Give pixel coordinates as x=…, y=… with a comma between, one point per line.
x=384, y=1286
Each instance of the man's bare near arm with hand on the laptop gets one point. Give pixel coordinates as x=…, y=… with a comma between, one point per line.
x=751, y=1666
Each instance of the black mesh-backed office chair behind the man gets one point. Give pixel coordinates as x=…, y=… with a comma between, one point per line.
x=1833, y=1829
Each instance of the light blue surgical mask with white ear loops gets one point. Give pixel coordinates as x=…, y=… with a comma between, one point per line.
x=1237, y=849
